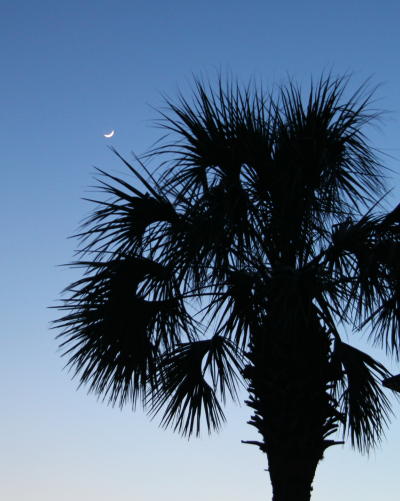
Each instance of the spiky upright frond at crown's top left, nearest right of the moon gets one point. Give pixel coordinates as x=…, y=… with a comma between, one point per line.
x=221, y=130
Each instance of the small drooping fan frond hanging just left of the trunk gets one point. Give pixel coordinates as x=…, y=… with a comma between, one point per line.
x=182, y=391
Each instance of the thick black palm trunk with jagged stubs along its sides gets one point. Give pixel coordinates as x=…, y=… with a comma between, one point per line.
x=288, y=392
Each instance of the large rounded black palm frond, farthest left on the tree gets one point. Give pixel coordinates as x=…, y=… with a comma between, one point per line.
x=112, y=335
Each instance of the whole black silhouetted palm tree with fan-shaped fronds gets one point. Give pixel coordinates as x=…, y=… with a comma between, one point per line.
x=235, y=263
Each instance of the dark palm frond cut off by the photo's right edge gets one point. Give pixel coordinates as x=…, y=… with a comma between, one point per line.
x=365, y=254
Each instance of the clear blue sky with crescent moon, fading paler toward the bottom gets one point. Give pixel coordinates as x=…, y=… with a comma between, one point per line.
x=71, y=71
